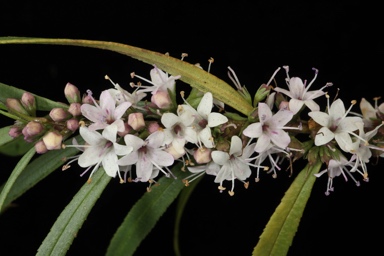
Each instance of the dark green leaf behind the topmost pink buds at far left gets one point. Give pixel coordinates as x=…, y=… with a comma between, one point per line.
x=42, y=103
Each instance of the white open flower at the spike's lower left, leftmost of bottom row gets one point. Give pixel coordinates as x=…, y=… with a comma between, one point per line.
x=102, y=149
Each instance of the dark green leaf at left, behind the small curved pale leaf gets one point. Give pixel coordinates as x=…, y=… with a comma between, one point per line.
x=37, y=170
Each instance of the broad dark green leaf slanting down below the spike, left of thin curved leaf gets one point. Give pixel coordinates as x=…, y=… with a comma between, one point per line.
x=145, y=213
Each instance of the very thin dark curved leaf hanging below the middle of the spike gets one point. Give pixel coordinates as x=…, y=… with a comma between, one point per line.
x=181, y=203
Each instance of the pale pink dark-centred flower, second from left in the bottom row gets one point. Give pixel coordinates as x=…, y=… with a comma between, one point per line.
x=147, y=155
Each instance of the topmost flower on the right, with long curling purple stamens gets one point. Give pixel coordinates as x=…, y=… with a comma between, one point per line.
x=299, y=94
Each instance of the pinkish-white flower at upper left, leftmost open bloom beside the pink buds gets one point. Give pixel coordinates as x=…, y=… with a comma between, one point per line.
x=104, y=113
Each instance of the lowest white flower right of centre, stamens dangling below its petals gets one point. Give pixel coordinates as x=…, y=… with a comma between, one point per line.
x=234, y=165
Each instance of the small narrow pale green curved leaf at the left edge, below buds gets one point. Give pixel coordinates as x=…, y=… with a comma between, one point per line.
x=15, y=174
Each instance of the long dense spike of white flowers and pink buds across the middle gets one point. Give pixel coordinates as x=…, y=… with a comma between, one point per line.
x=140, y=134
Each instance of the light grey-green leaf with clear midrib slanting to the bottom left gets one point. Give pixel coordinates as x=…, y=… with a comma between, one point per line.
x=68, y=224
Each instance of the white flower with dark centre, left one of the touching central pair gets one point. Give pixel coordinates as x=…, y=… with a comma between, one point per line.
x=179, y=128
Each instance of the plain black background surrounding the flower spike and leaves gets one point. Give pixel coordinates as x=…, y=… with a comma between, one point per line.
x=340, y=38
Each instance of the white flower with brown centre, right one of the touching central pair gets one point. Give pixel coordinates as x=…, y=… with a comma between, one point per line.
x=205, y=119
